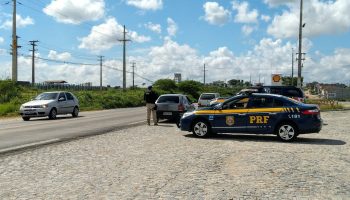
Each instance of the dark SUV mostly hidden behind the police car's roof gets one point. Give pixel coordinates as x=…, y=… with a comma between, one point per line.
x=288, y=91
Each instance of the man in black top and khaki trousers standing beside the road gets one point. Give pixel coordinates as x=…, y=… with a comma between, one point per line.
x=150, y=97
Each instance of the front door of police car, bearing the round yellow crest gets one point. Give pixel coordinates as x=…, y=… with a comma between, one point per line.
x=231, y=117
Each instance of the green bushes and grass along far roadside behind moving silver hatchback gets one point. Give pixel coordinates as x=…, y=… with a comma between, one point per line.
x=12, y=96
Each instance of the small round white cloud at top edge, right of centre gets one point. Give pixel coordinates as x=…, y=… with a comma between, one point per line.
x=216, y=14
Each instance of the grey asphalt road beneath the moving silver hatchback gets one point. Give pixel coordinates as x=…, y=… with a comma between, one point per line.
x=17, y=134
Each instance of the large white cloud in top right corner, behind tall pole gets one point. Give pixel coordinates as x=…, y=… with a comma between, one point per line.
x=321, y=17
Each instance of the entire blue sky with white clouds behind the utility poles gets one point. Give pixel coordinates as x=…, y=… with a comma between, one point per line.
x=236, y=39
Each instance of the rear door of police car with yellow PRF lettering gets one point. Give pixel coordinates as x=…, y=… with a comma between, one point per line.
x=261, y=114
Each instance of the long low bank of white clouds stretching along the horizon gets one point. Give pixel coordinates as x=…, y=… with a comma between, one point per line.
x=222, y=64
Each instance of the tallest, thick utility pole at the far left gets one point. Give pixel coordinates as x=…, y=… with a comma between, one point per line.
x=14, y=44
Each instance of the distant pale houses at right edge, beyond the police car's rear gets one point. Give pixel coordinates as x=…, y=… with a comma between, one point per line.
x=333, y=91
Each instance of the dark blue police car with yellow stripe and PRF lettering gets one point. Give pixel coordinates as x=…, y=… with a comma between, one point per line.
x=255, y=113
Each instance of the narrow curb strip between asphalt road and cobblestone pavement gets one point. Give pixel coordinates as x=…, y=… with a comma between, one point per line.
x=40, y=144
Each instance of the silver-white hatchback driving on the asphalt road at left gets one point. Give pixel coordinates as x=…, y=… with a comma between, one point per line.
x=50, y=104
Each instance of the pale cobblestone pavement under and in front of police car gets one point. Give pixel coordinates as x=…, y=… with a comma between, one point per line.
x=161, y=162
